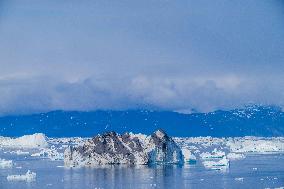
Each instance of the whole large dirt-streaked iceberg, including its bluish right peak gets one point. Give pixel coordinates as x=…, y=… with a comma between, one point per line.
x=112, y=148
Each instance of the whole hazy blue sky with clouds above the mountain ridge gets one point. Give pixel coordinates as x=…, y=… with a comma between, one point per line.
x=181, y=56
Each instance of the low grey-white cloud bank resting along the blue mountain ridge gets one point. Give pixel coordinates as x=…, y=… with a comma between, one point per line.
x=182, y=94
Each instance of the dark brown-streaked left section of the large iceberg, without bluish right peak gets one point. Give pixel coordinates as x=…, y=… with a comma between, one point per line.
x=109, y=148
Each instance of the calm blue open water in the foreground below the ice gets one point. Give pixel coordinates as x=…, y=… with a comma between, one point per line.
x=269, y=174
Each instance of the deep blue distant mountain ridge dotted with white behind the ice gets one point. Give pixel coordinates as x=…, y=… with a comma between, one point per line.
x=253, y=121
